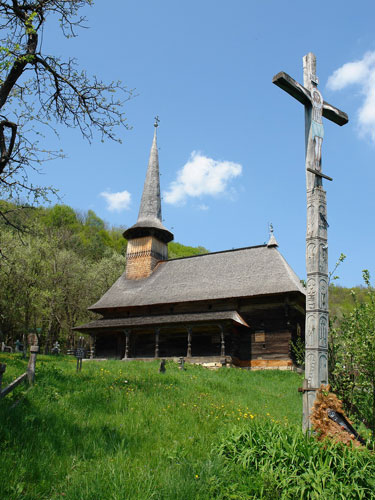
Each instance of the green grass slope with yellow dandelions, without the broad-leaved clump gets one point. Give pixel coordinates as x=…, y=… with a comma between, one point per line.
x=121, y=431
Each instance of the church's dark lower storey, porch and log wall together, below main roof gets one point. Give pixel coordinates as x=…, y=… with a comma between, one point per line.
x=206, y=338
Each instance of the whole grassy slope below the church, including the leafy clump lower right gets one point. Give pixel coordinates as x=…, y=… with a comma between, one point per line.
x=122, y=431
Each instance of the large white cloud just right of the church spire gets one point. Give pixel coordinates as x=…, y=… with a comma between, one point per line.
x=201, y=176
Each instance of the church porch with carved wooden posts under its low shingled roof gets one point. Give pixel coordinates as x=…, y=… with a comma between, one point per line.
x=195, y=337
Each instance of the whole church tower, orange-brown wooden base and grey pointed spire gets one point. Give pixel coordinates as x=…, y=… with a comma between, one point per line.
x=148, y=238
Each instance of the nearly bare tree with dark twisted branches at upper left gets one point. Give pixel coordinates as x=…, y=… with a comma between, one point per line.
x=39, y=90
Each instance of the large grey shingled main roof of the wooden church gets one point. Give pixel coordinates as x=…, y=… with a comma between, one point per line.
x=245, y=272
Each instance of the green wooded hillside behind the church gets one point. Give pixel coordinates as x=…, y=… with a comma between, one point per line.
x=56, y=261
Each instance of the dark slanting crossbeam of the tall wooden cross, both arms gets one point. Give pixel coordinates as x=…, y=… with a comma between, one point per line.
x=299, y=92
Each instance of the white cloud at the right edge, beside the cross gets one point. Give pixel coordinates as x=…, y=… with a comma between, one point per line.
x=361, y=73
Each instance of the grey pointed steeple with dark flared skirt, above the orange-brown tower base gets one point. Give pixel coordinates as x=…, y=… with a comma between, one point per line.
x=149, y=221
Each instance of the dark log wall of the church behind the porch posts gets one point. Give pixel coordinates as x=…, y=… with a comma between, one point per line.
x=273, y=321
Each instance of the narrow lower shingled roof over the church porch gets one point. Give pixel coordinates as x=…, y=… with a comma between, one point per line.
x=112, y=323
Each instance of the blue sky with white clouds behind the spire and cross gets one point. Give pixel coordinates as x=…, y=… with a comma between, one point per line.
x=231, y=144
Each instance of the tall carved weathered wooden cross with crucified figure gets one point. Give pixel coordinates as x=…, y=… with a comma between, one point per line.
x=316, y=332
